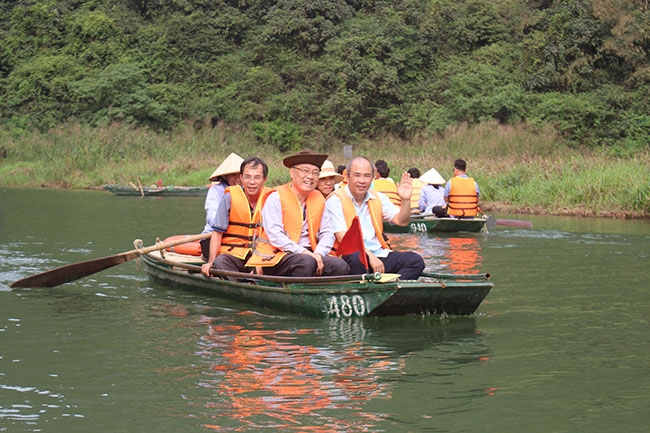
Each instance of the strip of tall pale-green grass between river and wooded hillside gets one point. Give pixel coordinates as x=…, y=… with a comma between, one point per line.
x=519, y=170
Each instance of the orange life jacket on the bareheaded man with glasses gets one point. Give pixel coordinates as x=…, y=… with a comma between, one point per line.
x=243, y=224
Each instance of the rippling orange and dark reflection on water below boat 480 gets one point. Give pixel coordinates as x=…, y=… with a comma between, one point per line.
x=301, y=379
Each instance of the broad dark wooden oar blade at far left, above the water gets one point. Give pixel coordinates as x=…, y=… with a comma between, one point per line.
x=75, y=271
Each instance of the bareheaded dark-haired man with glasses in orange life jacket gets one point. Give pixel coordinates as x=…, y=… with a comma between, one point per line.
x=238, y=219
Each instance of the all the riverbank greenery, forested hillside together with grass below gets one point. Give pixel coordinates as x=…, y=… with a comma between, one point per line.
x=548, y=100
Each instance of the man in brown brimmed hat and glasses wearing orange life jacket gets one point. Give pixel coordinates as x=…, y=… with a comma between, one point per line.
x=297, y=234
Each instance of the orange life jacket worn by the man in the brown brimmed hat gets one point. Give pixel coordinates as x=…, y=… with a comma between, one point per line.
x=266, y=254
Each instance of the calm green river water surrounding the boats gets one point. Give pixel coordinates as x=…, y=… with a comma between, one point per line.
x=561, y=344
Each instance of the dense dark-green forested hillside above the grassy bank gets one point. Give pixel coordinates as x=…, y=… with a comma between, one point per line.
x=291, y=69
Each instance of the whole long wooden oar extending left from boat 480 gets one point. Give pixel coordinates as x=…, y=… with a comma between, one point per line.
x=75, y=271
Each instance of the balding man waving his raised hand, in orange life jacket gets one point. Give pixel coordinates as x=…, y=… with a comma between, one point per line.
x=372, y=208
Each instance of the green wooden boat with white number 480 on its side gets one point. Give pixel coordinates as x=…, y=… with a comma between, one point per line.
x=328, y=297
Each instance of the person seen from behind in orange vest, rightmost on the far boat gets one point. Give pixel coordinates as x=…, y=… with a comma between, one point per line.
x=461, y=194
